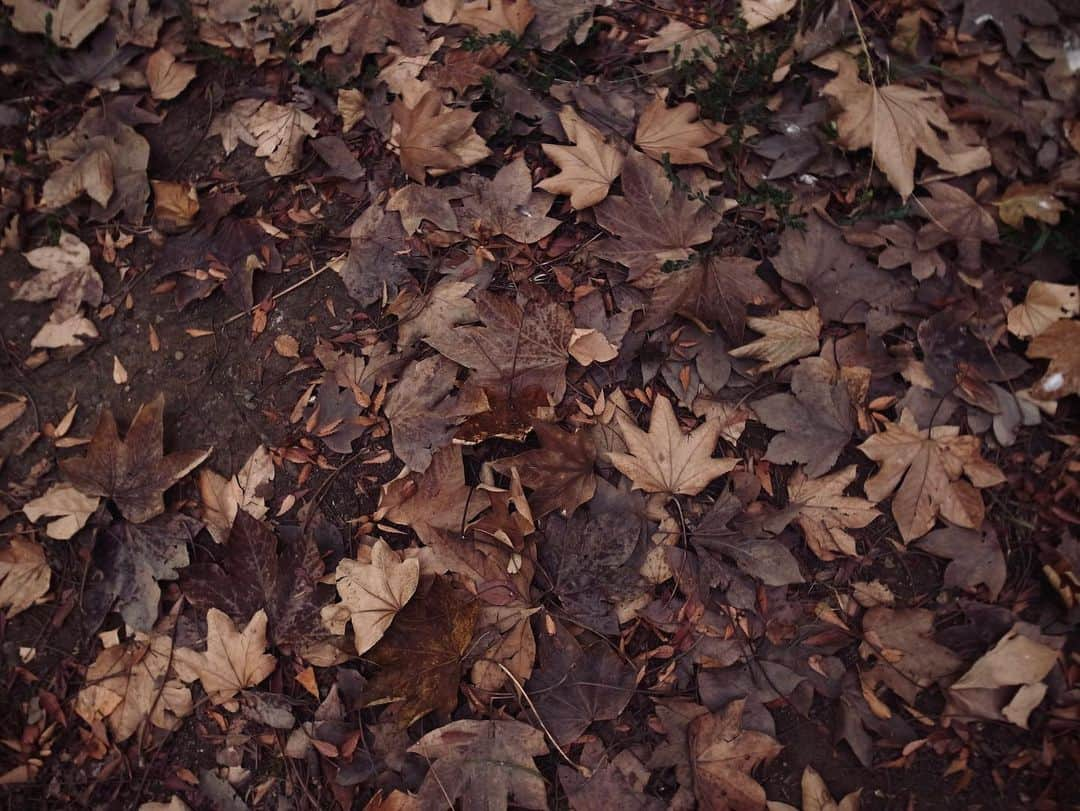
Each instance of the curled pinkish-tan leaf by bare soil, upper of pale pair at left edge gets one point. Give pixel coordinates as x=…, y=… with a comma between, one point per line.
x=64, y=274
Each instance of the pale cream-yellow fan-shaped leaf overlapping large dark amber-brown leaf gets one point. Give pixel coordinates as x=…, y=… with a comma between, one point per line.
x=372, y=594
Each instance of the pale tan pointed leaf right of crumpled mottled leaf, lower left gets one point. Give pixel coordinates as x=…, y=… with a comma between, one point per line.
x=235, y=660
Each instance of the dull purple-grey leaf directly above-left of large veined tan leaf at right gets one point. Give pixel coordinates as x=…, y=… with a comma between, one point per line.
x=816, y=421
